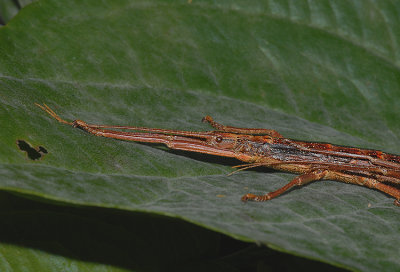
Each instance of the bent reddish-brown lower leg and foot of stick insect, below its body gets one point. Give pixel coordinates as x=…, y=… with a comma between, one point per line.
x=297, y=181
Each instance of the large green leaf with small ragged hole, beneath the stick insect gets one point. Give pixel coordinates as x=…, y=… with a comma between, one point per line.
x=321, y=71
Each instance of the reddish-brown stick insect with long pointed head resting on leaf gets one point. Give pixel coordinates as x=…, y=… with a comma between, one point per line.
x=266, y=147
